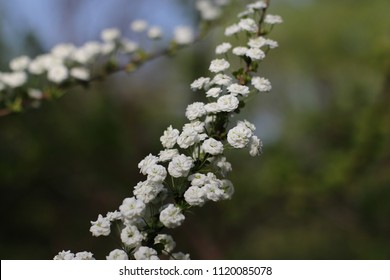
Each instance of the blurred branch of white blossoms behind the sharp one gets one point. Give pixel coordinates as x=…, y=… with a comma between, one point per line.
x=31, y=80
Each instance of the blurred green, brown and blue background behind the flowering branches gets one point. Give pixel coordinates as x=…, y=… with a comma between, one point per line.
x=321, y=190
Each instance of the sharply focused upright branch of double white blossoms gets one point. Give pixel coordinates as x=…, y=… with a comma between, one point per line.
x=191, y=168
